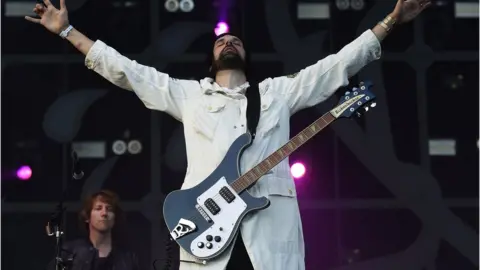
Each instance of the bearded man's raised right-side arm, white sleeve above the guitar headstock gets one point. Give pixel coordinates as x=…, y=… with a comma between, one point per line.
x=319, y=81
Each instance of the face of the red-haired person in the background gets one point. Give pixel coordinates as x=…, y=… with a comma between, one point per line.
x=102, y=217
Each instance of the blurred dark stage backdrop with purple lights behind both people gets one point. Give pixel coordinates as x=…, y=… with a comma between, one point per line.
x=396, y=189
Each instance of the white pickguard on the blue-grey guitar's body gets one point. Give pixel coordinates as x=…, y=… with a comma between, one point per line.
x=223, y=222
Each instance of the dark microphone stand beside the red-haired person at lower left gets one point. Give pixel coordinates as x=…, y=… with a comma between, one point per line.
x=56, y=223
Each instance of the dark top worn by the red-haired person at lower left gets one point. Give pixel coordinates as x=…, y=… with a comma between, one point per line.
x=81, y=255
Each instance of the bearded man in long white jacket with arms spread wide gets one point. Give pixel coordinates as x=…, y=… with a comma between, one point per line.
x=214, y=113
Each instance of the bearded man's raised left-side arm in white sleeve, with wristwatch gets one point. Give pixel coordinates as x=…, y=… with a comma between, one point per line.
x=156, y=89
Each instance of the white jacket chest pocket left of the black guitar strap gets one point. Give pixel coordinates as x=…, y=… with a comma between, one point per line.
x=207, y=117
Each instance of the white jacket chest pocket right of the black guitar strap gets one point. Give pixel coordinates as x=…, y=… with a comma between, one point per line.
x=269, y=118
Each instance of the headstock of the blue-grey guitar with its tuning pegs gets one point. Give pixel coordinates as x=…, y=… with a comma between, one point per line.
x=355, y=101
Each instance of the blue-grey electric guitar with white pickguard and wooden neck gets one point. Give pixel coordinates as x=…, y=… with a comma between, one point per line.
x=204, y=219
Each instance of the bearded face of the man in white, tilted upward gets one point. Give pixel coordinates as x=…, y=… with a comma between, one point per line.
x=228, y=53
